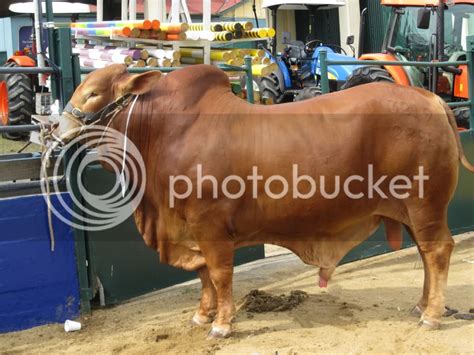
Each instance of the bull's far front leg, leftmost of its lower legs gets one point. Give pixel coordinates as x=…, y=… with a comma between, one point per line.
x=208, y=306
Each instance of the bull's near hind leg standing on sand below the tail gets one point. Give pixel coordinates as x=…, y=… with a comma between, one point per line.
x=435, y=245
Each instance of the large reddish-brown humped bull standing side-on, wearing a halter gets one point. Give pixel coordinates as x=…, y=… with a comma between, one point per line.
x=190, y=118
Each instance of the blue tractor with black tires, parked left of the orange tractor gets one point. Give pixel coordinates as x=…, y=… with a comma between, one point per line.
x=298, y=74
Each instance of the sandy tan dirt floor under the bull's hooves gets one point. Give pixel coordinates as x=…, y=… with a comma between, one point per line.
x=365, y=309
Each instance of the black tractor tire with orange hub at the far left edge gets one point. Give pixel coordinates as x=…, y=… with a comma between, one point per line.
x=20, y=101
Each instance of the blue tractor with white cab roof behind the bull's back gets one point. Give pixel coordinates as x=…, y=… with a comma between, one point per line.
x=298, y=74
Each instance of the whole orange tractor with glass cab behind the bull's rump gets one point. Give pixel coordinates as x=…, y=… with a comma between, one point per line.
x=423, y=31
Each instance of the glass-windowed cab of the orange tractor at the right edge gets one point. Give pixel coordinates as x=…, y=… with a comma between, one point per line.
x=423, y=34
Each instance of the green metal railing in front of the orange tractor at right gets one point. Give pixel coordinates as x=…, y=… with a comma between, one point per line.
x=325, y=63
